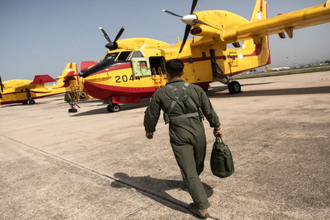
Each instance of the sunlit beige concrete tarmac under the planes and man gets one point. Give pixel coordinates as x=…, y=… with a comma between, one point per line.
x=99, y=165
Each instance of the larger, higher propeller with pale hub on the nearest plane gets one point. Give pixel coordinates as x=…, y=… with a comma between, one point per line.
x=189, y=20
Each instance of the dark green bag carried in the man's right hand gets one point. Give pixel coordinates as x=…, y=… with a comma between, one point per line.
x=222, y=163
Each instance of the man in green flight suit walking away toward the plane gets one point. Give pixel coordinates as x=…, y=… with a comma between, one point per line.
x=184, y=106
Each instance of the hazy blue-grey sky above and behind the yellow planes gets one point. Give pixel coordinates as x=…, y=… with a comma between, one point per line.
x=42, y=36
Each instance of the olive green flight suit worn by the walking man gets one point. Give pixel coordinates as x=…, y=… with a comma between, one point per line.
x=187, y=134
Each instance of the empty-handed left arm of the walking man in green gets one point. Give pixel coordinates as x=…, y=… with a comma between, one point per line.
x=151, y=116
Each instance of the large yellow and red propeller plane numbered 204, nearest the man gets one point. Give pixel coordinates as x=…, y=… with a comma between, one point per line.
x=134, y=68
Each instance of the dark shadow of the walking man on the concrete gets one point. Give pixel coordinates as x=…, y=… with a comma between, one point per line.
x=156, y=189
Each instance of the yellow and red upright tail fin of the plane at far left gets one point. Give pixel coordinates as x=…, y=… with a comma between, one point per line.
x=70, y=73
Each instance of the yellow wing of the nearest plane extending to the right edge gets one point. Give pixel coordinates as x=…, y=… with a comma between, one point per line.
x=289, y=22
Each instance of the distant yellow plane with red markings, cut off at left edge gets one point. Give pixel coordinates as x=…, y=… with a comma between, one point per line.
x=25, y=91
